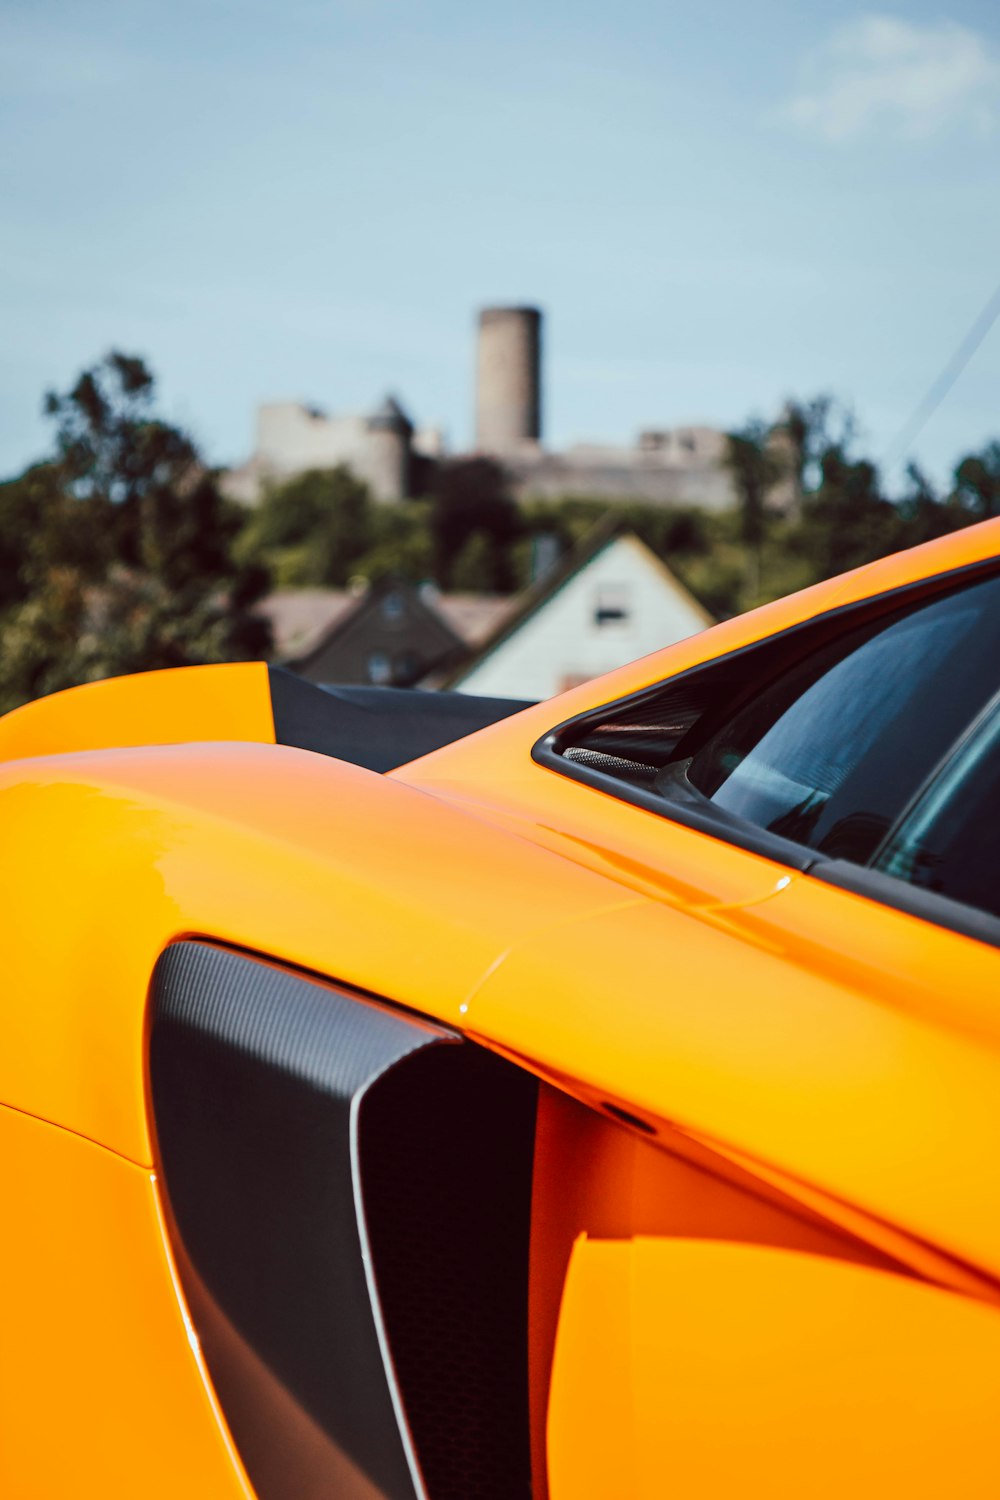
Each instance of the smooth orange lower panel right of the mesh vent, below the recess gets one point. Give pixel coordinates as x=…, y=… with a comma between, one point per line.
x=704, y=1369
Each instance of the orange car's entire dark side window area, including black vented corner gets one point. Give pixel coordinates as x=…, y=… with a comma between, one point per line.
x=860, y=746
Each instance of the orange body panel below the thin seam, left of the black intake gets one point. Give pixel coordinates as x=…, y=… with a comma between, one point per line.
x=101, y=1385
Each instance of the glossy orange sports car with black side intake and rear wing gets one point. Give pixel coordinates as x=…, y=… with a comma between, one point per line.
x=412, y=1097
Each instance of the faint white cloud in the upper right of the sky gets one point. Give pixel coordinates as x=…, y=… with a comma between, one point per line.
x=897, y=79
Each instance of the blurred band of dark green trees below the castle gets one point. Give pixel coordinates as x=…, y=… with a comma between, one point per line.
x=121, y=553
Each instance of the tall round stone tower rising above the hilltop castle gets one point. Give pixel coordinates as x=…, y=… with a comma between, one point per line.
x=509, y=380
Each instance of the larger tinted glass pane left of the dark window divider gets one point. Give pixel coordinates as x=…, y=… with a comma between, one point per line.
x=831, y=754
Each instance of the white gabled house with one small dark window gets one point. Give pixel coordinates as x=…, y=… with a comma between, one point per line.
x=609, y=602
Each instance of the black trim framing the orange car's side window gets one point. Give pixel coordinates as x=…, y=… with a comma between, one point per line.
x=702, y=817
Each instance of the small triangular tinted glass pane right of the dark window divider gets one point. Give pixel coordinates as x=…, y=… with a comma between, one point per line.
x=951, y=841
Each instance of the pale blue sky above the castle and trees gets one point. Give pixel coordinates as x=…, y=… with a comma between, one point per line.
x=717, y=208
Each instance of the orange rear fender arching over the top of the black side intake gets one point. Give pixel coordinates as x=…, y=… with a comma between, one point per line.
x=109, y=857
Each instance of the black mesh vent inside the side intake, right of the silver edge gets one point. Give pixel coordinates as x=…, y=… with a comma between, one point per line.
x=446, y=1169
